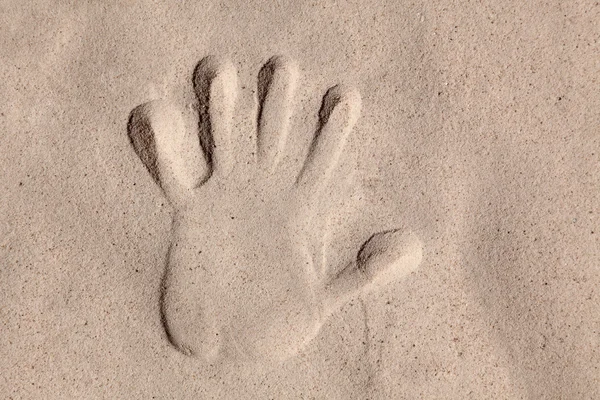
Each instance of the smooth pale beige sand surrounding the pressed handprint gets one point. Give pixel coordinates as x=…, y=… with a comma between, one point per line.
x=479, y=133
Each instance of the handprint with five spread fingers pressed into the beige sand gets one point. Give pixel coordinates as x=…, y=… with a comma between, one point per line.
x=242, y=280
